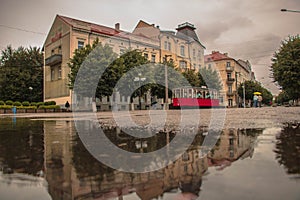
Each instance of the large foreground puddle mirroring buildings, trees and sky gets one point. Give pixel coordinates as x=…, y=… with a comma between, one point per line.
x=52, y=151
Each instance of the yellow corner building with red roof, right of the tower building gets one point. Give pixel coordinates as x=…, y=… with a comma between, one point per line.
x=232, y=74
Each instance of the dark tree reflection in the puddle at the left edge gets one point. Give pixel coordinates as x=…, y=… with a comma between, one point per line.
x=21, y=148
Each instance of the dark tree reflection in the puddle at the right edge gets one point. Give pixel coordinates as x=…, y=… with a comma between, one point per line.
x=288, y=148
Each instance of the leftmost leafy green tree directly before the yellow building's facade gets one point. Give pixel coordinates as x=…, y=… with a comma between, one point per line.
x=93, y=59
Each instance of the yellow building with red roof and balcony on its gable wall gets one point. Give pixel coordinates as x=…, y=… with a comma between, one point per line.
x=68, y=34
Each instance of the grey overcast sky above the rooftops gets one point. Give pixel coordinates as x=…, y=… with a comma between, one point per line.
x=250, y=30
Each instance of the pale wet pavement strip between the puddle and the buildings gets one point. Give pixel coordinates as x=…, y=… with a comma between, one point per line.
x=266, y=117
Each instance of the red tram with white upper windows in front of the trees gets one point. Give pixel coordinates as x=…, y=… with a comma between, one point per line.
x=195, y=97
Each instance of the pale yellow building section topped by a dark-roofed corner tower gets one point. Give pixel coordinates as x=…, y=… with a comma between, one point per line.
x=183, y=46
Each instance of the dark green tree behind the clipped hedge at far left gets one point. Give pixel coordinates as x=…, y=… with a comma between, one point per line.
x=21, y=74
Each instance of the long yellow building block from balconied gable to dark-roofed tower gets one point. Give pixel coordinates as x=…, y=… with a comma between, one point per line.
x=68, y=34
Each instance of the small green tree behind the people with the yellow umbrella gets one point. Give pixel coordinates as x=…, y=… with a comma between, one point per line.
x=251, y=87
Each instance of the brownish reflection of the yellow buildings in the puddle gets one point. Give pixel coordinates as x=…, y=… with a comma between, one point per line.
x=72, y=173
